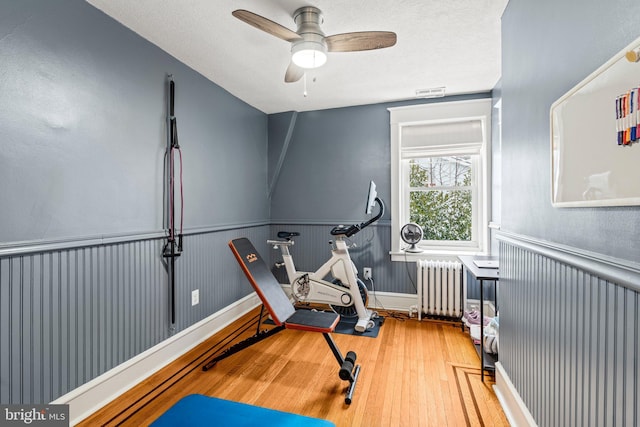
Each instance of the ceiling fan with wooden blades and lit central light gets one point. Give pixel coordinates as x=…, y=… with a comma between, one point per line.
x=309, y=45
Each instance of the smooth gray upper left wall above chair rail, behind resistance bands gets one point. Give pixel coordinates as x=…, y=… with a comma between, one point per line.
x=84, y=130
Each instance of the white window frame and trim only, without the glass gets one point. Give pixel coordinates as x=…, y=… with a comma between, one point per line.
x=440, y=113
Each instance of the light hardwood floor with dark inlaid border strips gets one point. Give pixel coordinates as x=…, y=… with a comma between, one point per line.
x=413, y=374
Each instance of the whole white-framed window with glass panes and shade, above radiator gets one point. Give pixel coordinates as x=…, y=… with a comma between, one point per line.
x=440, y=169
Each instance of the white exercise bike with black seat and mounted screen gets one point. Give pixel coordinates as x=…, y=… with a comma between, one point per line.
x=344, y=292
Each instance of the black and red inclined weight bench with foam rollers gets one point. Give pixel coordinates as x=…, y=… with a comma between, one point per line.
x=284, y=314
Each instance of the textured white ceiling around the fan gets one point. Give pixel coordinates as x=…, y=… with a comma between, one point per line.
x=451, y=43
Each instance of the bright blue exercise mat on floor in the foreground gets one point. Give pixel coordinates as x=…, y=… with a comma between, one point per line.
x=197, y=410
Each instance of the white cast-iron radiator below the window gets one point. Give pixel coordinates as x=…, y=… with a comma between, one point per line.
x=440, y=291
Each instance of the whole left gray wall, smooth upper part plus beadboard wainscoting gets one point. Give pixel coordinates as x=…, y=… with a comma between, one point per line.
x=83, y=285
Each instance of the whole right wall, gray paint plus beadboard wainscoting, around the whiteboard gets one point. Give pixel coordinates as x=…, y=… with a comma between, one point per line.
x=568, y=336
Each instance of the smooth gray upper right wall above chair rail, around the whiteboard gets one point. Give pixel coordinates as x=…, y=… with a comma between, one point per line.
x=548, y=47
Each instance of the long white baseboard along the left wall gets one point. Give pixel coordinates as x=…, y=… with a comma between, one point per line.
x=88, y=398
